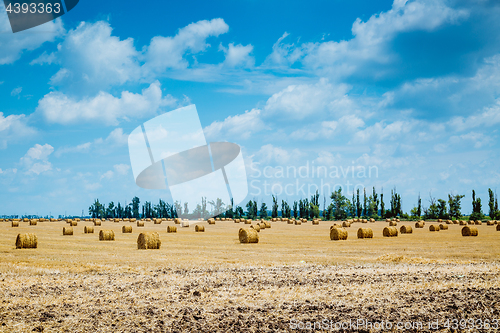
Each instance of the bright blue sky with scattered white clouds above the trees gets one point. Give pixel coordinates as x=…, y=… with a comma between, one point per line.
x=408, y=88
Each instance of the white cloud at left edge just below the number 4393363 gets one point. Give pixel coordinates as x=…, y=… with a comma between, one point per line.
x=12, y=45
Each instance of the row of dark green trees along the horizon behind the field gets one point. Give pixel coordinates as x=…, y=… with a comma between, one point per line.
x=340, y=207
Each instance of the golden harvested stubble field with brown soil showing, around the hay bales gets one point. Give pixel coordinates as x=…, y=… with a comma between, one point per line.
x=294, y=278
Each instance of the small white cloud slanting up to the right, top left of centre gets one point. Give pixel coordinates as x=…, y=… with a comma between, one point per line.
x=168, y=52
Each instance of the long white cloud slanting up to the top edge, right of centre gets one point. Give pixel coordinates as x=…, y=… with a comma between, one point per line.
x=370, y=39
